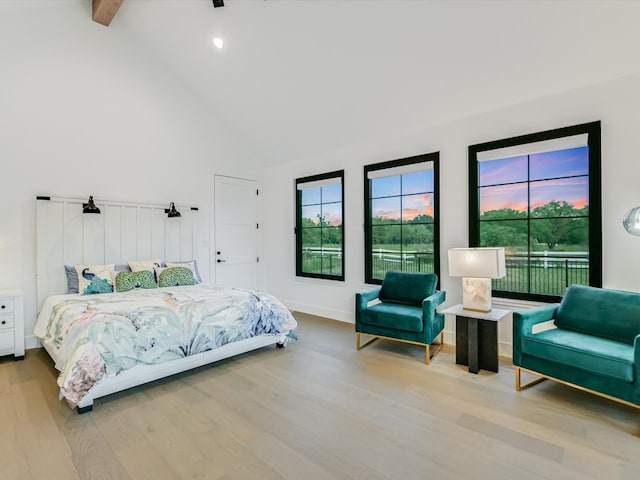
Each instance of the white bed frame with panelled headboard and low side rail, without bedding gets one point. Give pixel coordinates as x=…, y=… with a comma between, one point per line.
x=122, y=232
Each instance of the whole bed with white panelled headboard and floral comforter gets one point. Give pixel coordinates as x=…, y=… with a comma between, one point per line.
x=104, y=343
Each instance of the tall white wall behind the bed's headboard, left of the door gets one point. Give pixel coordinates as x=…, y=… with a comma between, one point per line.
x=84, y=109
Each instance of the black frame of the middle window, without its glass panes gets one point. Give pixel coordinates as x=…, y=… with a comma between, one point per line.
x=368, y=237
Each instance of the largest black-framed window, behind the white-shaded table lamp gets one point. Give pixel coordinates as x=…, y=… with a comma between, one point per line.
x=539, y=196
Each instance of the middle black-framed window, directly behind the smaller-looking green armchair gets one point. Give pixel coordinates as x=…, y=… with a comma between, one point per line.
x=401, y=216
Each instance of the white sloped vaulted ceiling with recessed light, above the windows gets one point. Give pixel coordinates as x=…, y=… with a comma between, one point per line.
x=301, y=77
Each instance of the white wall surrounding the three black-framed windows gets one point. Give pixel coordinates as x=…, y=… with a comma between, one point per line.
x=615, y=103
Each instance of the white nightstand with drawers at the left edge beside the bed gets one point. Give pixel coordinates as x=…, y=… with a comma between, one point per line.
x=12, y=323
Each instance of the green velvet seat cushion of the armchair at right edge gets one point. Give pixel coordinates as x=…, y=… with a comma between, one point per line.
x=592, y=354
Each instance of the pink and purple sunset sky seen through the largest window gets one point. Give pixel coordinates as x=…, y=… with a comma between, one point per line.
x=498, y=176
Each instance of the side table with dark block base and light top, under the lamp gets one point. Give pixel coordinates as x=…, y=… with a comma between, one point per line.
x=477, y=337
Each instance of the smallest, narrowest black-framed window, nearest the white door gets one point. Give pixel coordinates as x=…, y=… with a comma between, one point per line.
x=319, y=226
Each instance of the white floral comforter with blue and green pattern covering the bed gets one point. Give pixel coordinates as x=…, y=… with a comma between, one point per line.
x=98, y=336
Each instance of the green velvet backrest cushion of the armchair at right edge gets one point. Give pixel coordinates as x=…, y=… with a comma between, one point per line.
x=612, y=314
